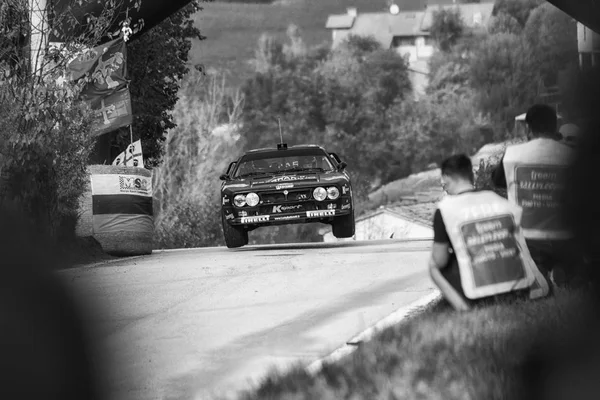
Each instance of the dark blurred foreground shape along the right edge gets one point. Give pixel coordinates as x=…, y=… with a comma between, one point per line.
x=567, y=366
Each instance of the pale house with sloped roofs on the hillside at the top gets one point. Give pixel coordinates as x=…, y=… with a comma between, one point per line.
x=408, y=32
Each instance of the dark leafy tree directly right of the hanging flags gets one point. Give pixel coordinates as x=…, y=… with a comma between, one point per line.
x=157, y=61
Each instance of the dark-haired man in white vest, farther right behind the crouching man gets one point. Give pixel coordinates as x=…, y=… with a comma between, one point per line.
x=535, y=174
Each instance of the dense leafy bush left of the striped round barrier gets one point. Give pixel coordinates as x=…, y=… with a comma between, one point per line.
x=45, y=148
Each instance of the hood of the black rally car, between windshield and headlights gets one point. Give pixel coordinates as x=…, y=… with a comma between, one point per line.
x=286, y=180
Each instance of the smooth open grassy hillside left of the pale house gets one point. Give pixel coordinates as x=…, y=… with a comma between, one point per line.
x=233, y=29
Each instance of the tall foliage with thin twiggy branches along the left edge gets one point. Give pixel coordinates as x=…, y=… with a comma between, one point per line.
x=44, y=128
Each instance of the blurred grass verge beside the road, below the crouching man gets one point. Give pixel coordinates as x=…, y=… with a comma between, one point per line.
x=439, y=355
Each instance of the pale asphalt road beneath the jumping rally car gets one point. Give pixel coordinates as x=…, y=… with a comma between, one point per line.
x=186, y=323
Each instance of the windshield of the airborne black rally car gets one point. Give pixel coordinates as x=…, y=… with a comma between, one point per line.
x=283, y=161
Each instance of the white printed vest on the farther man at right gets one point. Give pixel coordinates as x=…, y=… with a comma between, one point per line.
x=535, y=180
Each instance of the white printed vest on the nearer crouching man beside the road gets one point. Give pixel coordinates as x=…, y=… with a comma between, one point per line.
x=492, y=256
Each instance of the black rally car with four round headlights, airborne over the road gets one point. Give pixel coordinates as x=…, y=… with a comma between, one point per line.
x=282, y=185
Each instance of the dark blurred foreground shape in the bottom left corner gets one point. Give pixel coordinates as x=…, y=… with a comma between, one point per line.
x=45, y=348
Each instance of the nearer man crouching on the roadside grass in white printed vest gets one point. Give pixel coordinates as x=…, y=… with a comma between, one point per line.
x=479, y=253
